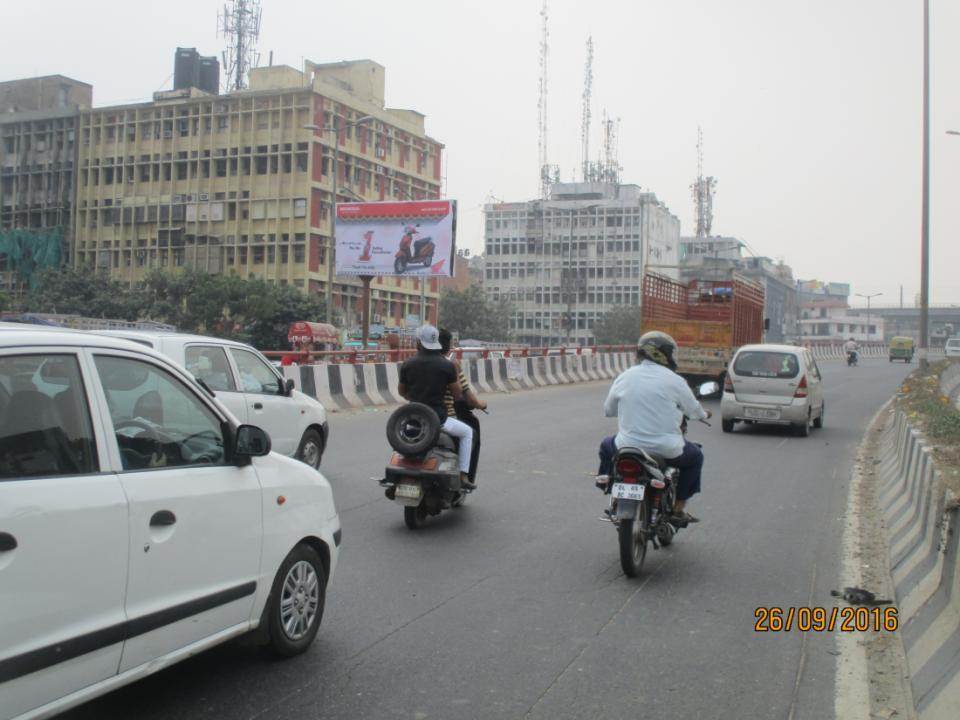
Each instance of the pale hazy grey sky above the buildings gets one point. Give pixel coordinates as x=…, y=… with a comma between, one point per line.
x=810, y=109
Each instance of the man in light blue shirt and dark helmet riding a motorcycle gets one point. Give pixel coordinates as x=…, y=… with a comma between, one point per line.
x=650, y=401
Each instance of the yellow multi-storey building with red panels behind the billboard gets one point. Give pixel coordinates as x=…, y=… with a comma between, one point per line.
x=242, y=183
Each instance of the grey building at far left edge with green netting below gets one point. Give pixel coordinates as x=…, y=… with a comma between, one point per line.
x=38, y=126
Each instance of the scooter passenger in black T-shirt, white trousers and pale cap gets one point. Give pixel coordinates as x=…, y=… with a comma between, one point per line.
x=426, y=378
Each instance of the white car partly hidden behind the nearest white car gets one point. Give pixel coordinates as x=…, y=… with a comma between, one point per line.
x=252, y=388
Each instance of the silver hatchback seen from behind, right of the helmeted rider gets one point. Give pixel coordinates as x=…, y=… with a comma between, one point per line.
x=773, y=384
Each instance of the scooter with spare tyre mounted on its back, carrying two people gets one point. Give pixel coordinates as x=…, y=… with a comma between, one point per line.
x=423, y=475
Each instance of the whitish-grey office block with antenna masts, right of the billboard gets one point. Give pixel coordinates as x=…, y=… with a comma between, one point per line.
x=565, y=262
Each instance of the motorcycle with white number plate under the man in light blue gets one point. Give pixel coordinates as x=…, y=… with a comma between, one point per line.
x=643, y=493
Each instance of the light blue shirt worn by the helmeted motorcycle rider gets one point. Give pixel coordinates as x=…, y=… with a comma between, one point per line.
x=649, y=401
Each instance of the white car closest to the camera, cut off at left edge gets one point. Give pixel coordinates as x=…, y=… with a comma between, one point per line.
x=140, y=522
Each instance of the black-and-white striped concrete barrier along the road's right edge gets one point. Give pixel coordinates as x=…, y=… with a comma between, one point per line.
x=923, y=536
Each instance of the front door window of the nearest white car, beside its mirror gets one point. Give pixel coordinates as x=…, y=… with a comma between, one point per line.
x=157, y=420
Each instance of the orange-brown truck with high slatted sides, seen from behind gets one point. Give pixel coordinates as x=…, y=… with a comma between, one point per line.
x=709, y=319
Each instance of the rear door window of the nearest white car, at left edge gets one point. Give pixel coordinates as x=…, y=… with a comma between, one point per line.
x=45, y=426
